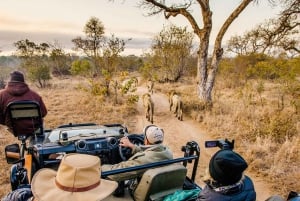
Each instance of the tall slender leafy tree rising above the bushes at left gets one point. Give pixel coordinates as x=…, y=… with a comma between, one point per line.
x=93, y=41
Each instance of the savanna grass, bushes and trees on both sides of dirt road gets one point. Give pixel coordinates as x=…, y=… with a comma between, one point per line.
x=253, y=96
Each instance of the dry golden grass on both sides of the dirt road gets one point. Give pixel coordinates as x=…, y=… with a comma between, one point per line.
x=238, y=113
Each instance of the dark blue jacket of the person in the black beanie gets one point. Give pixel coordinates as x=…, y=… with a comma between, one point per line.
x=245, y=192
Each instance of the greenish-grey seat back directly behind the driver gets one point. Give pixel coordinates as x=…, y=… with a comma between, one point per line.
x=159, y=182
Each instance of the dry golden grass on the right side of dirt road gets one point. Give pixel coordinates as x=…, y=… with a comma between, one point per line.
x=267, y=135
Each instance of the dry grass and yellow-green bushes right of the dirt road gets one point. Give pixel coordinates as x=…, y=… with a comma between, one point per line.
x=260, y=112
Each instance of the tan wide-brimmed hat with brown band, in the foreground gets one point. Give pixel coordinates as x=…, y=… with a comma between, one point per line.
x=78, y=178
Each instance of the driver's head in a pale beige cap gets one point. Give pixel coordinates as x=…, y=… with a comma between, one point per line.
x=153, y=135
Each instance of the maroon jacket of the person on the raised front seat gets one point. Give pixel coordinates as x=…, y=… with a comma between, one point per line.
x=17, y=91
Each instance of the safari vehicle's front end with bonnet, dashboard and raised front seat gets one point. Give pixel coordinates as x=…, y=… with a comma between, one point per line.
x=50, y=144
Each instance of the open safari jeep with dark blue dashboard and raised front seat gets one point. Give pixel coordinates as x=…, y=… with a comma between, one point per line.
x=48, y=146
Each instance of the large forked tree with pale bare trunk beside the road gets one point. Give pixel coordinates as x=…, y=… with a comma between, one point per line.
x=206, y=69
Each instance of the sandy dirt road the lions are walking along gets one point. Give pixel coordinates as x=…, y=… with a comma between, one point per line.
x=177, y=133
